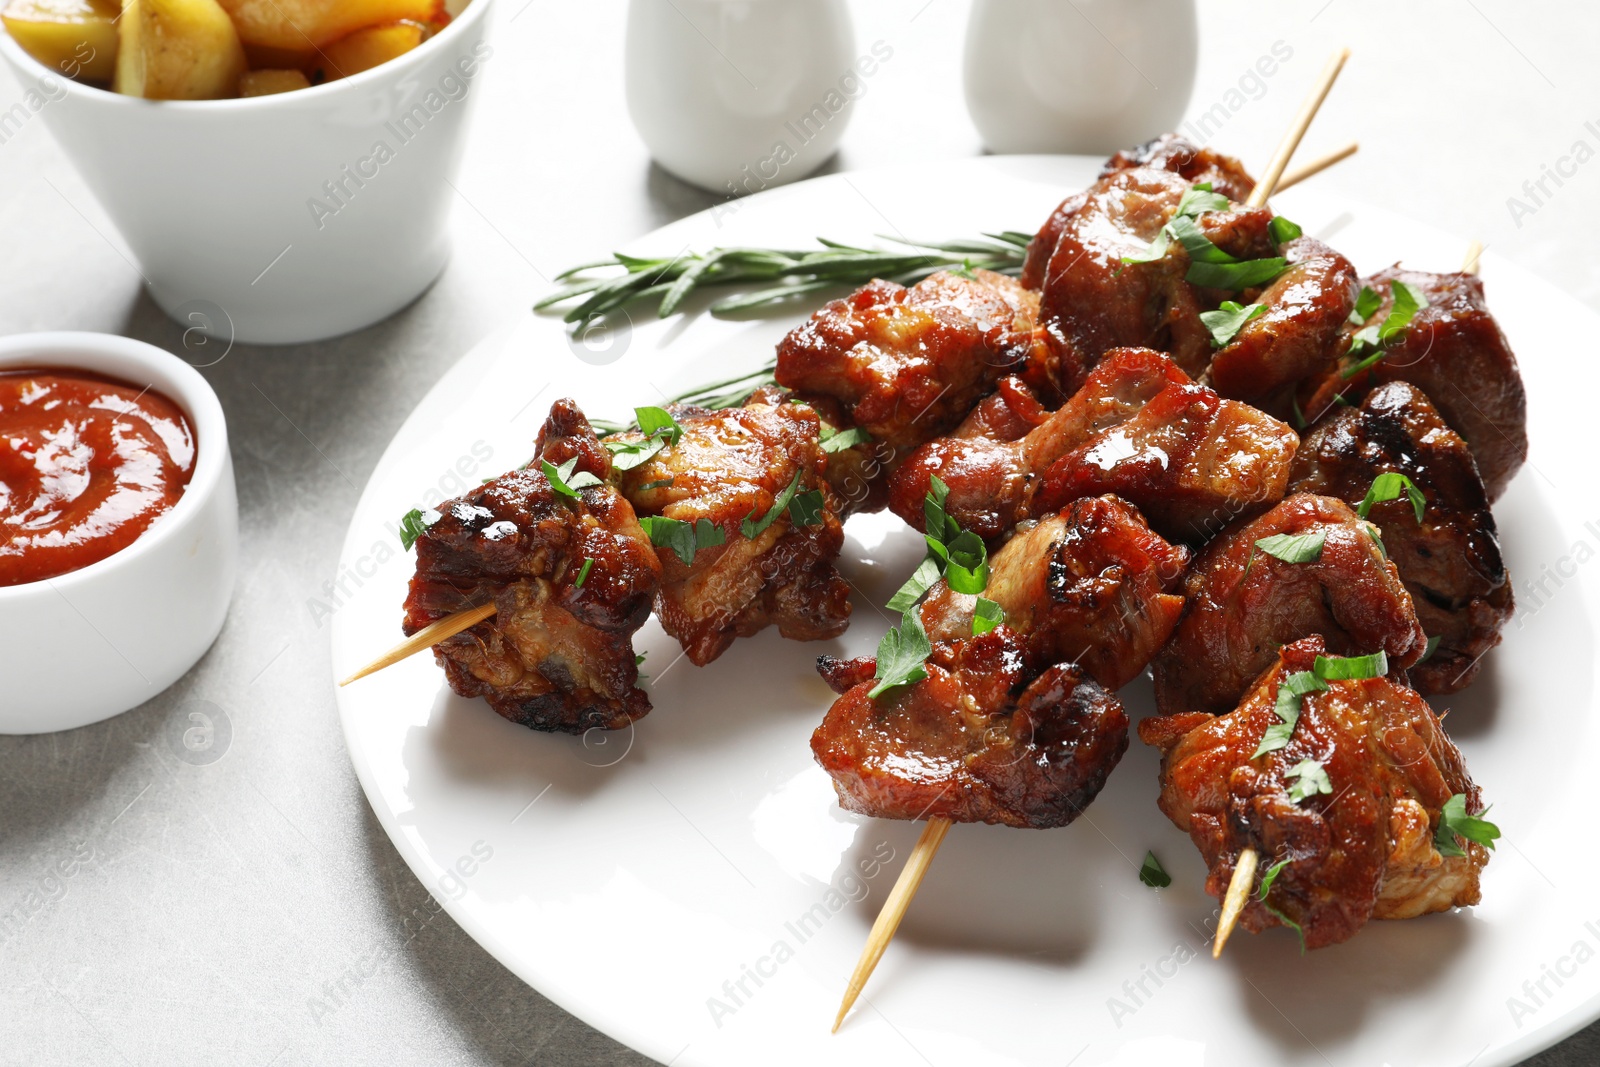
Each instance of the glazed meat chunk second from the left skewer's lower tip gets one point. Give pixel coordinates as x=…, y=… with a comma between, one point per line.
x=727, y=468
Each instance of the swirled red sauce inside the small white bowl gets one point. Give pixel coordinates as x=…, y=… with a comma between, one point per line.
x=87, y=465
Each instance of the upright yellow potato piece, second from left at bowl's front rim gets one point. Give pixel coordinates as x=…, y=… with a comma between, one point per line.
x=178, y=50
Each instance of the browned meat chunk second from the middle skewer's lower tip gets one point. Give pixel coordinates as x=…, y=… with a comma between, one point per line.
x=1092, y=586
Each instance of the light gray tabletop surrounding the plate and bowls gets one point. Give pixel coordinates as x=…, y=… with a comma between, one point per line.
x=212, y=905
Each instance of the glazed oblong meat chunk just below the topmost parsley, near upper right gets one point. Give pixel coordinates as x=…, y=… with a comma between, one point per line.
x=1297, y=337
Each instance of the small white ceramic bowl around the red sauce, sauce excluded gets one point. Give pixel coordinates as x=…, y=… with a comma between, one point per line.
x=95, y=642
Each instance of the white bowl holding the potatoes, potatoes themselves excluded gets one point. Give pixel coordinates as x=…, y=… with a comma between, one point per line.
x=218, y=199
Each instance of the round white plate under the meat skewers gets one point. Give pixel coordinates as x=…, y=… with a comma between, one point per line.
x=639, y=879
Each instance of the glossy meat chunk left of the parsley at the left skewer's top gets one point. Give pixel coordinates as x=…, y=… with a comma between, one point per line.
x=1092, y=302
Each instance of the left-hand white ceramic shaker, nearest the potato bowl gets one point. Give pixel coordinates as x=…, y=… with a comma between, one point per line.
x=743, y=95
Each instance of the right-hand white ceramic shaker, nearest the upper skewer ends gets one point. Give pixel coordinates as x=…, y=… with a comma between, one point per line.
x=1079, y=76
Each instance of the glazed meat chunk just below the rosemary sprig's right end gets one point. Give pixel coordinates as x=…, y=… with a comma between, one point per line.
x=908, y=364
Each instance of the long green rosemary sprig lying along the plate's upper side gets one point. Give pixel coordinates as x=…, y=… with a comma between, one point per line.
x=782, y=274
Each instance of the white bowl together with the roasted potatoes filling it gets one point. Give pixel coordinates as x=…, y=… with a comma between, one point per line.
x=281, y=169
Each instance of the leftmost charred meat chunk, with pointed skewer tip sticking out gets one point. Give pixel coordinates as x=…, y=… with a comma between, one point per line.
x=558, y=655
